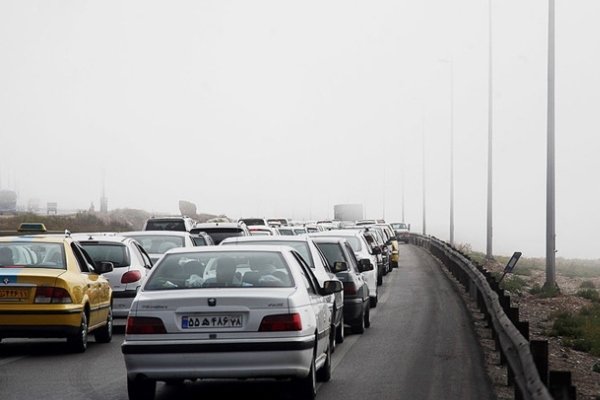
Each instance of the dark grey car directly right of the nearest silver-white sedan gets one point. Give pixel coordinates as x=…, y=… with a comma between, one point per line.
x=349, y=270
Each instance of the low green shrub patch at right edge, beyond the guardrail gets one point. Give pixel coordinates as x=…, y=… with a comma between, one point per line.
x=580, y=331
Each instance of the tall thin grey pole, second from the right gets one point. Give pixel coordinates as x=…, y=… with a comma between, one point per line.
x=489, y=251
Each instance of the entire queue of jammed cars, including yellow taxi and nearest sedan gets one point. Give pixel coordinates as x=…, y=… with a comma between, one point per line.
x=252, y=307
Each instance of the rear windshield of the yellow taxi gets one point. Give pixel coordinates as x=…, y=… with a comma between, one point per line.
x=32, y=255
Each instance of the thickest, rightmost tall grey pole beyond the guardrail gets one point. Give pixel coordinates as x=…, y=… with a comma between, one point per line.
x=550, y=176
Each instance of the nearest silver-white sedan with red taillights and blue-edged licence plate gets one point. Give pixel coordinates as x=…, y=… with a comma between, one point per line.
x=249, y=321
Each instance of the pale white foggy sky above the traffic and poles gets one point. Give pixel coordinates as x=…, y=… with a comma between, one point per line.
x=279, y=108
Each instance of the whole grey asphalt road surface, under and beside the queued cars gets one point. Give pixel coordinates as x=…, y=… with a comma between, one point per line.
x=420, y=346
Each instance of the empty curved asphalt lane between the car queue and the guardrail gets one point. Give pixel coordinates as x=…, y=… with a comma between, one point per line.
x=422, y=345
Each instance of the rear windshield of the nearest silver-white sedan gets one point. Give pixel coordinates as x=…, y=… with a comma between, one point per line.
x=220, y=269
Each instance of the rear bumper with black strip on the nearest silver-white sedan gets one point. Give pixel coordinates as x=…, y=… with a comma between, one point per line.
x=203, y=359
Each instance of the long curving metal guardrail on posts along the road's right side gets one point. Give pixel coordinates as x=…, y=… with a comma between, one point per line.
x=514, y=347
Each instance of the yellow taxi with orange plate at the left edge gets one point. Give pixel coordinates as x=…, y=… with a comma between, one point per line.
x=51, y=288
